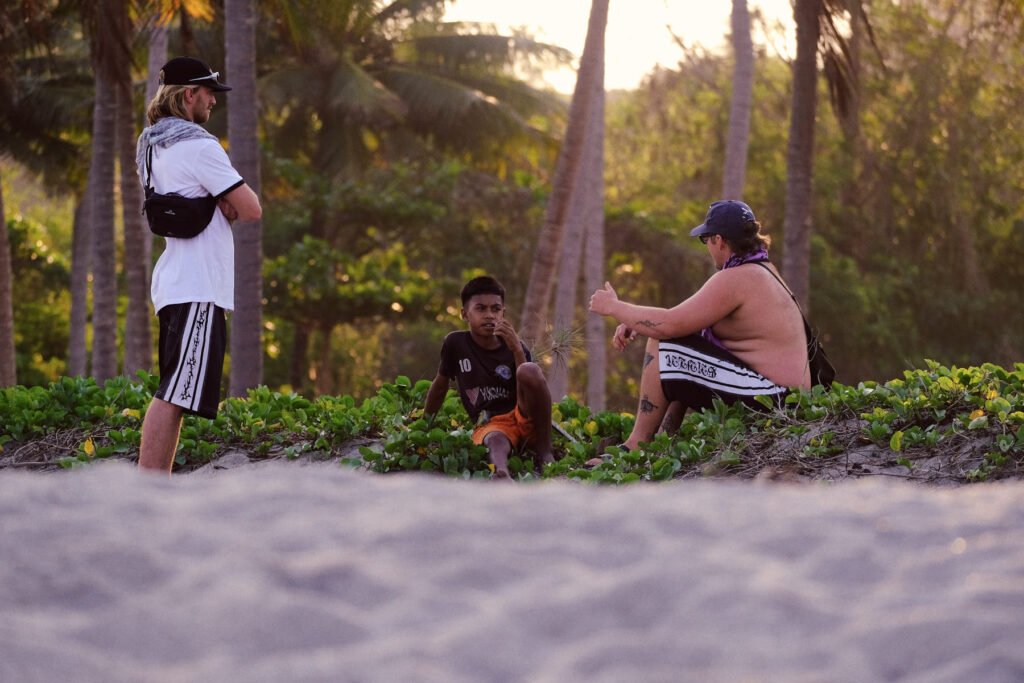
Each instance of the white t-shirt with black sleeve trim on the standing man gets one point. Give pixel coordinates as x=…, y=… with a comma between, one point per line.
x=201, y=269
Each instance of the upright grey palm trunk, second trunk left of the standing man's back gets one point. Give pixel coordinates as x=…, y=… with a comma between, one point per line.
x=105, y=286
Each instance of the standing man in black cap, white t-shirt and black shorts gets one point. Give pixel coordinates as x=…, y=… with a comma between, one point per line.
x=194, y=281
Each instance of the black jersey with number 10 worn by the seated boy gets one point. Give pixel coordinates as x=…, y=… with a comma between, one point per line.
x=486, y=377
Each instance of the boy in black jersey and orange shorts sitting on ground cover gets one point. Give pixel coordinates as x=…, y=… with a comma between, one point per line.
x=505, y=395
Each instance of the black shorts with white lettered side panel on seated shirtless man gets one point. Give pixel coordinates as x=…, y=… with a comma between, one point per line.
x=696, y=372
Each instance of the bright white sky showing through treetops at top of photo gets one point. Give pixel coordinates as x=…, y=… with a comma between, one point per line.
x=637, y=37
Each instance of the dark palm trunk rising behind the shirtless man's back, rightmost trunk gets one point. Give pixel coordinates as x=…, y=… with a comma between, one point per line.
x=800, y=156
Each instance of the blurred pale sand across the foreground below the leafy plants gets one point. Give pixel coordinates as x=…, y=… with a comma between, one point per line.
x=286, y=574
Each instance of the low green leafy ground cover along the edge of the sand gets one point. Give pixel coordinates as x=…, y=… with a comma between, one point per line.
x=940, y=425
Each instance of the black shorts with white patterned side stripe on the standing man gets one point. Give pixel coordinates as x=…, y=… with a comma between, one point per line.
x=193, y=343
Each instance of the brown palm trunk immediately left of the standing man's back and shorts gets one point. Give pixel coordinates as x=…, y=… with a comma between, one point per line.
x=139, y=244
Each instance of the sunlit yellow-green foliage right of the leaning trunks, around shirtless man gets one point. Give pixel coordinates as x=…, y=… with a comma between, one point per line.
x=917, y=219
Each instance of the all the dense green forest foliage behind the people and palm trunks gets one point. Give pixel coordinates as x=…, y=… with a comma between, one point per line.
x=919, y=230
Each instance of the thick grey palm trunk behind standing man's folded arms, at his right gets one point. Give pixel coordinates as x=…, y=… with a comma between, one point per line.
x=247, y=323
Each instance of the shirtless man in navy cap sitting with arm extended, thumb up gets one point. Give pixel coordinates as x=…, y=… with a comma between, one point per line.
x=740, y=336
